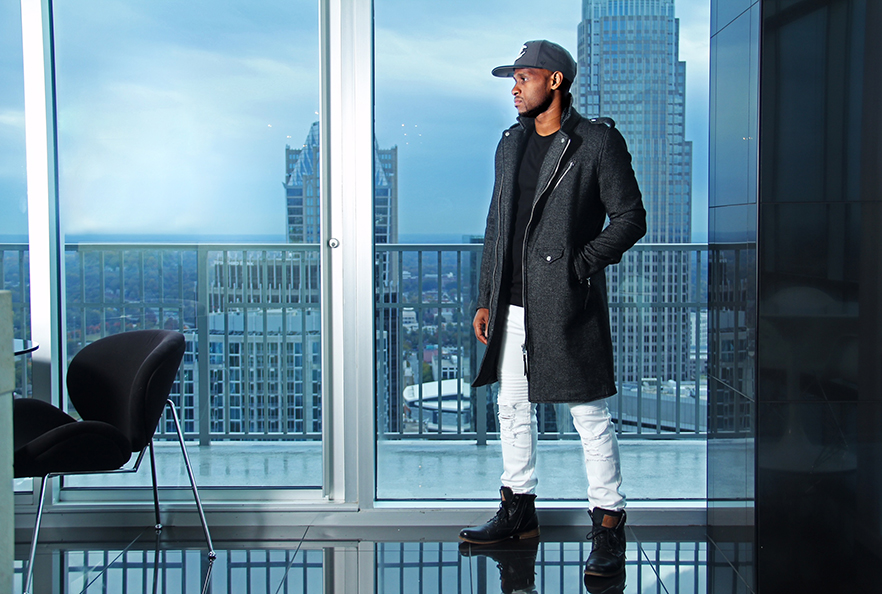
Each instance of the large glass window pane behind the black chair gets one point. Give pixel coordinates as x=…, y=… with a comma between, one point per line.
x=183, y=129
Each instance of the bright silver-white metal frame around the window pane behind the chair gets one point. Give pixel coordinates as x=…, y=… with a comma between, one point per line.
x=346, y=55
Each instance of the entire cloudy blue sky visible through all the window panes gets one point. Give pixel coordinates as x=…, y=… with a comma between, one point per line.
x=173, y=116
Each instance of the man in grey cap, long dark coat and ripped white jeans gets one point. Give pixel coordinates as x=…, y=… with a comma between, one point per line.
x=542, y=304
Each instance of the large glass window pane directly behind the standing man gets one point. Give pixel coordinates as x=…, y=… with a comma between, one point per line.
x=442, y=113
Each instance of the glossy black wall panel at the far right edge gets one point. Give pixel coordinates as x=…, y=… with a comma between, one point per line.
x=819, y=394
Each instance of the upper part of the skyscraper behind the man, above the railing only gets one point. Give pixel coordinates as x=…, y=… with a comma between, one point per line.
x=630, y=70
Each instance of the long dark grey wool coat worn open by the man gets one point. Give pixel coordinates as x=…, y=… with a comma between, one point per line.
x=586, y=176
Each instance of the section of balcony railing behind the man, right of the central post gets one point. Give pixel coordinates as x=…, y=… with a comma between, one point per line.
x=425, y=303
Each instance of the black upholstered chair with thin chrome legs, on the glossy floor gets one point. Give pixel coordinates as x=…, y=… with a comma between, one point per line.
x=119, y=385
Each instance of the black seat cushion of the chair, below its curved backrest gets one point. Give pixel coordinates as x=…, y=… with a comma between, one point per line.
x=53, y=441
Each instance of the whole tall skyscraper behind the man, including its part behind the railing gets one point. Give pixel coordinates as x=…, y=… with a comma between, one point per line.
x=630, y=70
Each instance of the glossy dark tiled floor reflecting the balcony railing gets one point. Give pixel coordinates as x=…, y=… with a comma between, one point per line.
x=416, y=561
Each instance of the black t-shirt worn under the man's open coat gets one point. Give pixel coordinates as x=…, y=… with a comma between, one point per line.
x=528, y=176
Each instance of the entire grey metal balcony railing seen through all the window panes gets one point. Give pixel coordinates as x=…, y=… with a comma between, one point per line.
x=254, y=310
